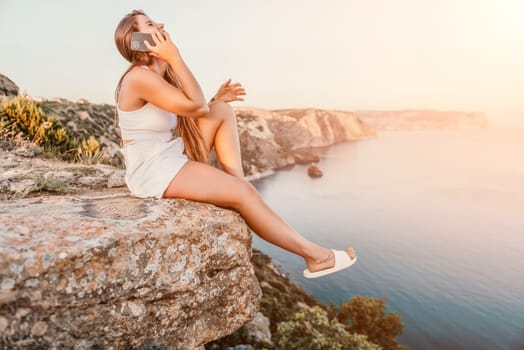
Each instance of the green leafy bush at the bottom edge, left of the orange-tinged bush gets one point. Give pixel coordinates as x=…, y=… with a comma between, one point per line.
x=310, y=329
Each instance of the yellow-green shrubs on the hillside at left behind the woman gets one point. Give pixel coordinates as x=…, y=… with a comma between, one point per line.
x=20, y=117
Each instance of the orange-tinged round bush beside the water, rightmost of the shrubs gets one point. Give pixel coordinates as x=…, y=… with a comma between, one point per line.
x=367, y=315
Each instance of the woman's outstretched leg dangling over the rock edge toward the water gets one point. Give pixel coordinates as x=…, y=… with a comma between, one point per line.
x=201, y=182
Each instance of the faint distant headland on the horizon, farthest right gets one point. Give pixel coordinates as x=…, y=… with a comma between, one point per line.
x=422, y=119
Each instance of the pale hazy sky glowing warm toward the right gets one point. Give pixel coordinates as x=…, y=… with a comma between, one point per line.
x=463, y=55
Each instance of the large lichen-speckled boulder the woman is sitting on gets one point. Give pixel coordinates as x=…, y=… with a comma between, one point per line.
x=112, y=271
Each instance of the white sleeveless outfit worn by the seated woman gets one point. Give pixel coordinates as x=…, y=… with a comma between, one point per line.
x=152, y=157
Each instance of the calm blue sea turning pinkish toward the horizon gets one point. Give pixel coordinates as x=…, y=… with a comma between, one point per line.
x=437, y=220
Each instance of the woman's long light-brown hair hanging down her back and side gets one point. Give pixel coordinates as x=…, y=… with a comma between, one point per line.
x=187, y=127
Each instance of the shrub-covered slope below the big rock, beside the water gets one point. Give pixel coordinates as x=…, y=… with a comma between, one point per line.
x=299, y=321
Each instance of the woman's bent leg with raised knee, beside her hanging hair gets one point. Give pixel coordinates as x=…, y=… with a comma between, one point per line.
x=219, y=129
